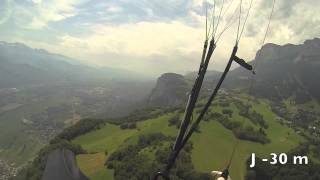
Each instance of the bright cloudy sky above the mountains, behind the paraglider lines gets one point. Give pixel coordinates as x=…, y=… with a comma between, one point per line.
x=151, y=36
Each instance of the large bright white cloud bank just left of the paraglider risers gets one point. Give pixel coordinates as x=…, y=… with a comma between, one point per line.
x=140, y=39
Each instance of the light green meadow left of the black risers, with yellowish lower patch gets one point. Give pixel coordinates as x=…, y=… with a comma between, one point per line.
x=109, y=138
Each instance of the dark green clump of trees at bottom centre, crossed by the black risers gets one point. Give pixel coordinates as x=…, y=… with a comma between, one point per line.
x=149, y=155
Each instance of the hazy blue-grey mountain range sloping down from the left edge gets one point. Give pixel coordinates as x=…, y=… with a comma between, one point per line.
x=21, y=65
